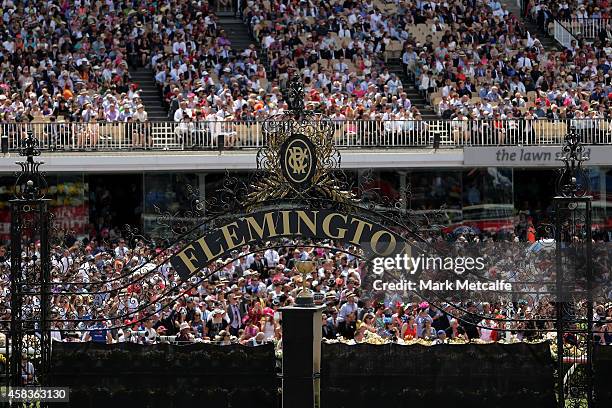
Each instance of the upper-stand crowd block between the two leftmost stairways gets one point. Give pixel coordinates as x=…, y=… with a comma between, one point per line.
x=201, y=76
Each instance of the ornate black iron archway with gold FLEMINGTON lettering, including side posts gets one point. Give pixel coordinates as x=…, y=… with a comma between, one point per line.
x=298, y=171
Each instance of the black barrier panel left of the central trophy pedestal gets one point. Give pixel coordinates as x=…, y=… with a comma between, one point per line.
x=166, y=376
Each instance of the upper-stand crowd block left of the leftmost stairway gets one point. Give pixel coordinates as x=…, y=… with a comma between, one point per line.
x=69, y=61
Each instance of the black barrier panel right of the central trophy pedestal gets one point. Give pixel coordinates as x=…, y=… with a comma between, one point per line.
x=465, y=375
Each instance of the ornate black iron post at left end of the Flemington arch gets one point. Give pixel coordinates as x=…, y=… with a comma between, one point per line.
x=30, y=331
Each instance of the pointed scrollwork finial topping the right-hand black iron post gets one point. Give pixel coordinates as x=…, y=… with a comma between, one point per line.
x=573, y=181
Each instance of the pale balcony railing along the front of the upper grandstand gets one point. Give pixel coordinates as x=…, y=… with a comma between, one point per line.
x=347, y=134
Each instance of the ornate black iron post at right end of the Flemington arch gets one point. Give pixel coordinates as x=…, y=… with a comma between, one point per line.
x=574, y=278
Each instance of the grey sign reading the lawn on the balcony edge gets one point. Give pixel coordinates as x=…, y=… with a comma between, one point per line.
x=530, y=156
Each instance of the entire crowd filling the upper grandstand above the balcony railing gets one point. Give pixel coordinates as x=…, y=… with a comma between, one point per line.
x=70, y=61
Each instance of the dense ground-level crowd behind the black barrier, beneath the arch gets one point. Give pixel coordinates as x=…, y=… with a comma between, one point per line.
x=106, y=290
